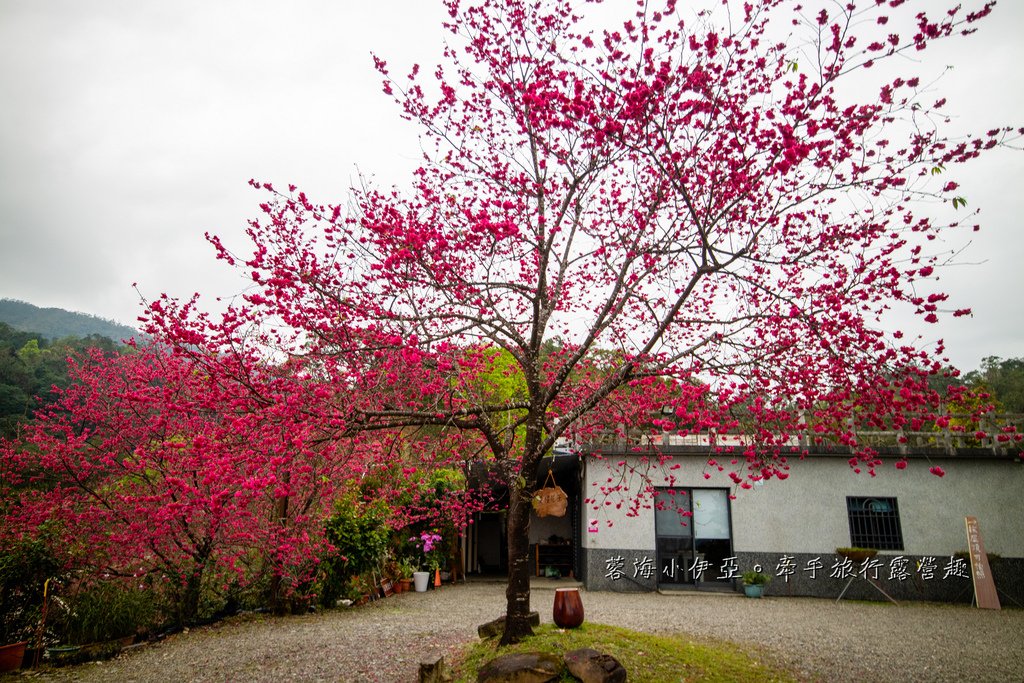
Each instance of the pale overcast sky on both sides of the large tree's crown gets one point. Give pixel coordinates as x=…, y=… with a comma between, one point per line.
x=130, y=129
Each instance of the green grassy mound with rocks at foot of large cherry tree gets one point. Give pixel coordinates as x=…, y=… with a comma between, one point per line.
x=646, y=657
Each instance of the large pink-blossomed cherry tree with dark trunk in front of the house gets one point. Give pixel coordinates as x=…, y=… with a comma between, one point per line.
x=692, y=198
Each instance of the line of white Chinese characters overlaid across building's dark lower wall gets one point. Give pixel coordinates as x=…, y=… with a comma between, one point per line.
x=899, y=569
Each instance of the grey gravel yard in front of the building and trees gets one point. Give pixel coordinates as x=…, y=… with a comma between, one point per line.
x=386, y=641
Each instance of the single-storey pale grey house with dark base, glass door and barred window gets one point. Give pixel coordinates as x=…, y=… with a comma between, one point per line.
x=710, y=532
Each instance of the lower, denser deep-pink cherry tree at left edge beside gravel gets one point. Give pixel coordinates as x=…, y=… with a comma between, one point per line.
x=147, y=467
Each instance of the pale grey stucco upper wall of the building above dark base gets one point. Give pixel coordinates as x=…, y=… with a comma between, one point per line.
x=807, y=513
